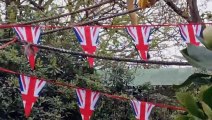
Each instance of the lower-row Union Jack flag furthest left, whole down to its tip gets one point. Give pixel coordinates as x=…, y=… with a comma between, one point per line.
x=30, y=88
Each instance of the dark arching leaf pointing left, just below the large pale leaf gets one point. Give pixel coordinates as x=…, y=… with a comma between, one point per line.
x=197, y=78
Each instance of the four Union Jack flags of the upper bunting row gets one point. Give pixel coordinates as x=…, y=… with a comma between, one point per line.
x=88, y=37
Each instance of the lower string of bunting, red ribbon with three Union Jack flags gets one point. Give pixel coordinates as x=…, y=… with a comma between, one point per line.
x=30, y=87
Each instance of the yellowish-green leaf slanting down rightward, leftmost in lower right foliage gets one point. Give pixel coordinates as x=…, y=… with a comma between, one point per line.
x=190, y=104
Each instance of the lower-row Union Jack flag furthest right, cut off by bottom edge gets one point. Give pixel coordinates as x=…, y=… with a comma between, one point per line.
x=141, y=109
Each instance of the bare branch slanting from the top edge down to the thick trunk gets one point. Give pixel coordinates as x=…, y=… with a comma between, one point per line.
x=178, y=10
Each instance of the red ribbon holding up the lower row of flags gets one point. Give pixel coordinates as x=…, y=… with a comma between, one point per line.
x=54, y=82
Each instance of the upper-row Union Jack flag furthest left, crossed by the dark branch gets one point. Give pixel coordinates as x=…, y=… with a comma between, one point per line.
x=31, y=35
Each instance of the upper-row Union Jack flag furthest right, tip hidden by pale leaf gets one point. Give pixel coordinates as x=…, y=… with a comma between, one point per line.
x=189, y=33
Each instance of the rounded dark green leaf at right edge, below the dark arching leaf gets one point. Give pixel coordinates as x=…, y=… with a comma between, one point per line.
x=207, y=97
